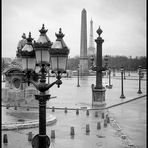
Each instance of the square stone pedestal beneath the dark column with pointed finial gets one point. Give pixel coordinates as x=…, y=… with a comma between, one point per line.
x=98, y=97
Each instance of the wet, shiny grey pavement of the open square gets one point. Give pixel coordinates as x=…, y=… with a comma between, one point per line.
x=127, y=122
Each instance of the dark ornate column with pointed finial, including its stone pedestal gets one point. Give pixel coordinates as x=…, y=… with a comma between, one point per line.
x=98, y=91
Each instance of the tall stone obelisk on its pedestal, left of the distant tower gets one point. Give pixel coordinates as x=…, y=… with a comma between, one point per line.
x=83, y=46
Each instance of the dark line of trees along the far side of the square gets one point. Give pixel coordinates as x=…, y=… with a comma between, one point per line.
x=116, y=62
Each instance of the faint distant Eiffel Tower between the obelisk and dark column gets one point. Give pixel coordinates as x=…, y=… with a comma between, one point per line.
x=91, y=49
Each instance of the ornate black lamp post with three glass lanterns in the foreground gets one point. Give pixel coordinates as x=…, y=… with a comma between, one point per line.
x=44, y=54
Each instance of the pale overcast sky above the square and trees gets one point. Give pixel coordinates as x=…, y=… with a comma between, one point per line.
x=123, y=23
